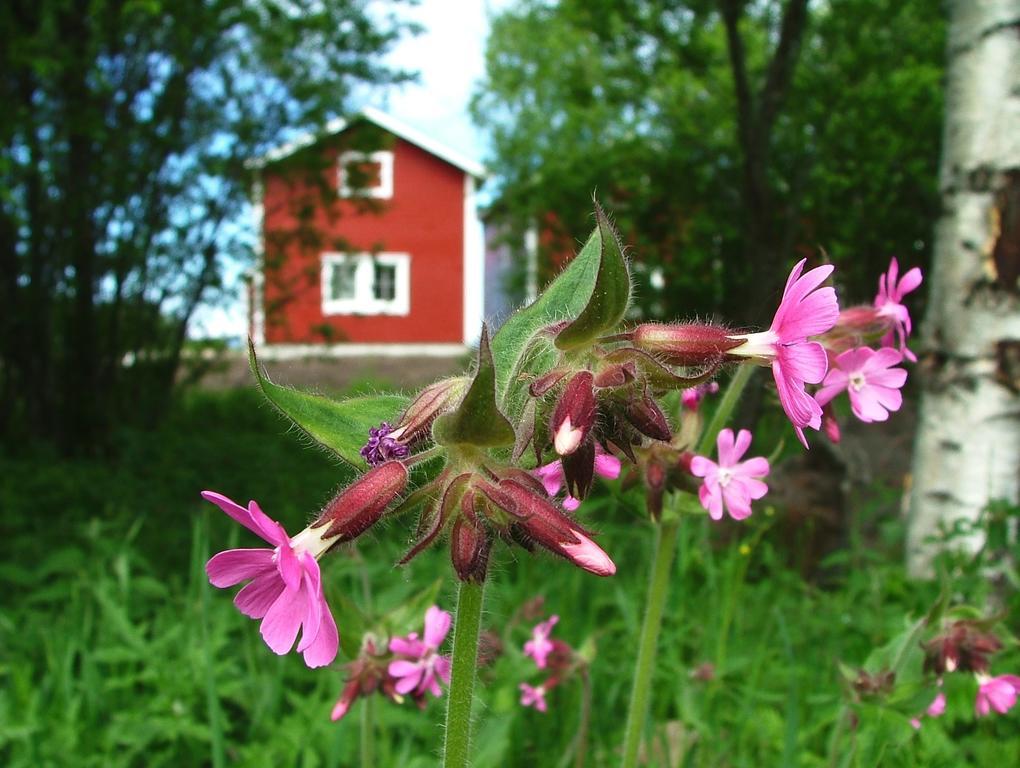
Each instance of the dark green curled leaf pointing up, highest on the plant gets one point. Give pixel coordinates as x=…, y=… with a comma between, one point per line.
x=609, y=299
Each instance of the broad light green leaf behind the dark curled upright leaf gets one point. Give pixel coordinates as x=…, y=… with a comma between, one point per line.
x=518, y=356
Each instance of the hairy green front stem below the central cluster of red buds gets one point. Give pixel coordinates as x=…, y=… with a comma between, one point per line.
x=466, y=656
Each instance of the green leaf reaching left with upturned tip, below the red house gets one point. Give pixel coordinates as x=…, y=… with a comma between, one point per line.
x=341, y=427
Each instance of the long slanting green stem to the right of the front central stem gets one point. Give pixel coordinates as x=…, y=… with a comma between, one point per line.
x=666, y=549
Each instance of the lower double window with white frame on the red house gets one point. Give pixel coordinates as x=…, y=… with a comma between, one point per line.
x=367, y=284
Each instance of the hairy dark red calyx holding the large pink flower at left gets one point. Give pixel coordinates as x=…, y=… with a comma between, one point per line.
x=360, y=506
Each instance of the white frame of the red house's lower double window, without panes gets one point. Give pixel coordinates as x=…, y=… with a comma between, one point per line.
x=365, y=301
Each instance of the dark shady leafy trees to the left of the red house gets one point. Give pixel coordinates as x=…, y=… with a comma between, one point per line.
x=124, y=182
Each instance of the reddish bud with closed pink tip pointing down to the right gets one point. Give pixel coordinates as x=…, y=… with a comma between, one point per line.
x=544, y=524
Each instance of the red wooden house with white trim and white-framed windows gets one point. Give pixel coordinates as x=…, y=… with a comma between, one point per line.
x=371, y=244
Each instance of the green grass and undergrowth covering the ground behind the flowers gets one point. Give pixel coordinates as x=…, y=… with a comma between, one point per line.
x=115, y=650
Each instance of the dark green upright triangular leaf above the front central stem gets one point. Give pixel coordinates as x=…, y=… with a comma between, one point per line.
x=478, y=421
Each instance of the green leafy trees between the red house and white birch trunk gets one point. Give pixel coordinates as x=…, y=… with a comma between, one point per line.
x=724, y=135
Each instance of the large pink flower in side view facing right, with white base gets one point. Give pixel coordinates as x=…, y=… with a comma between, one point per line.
x=806, y=311
